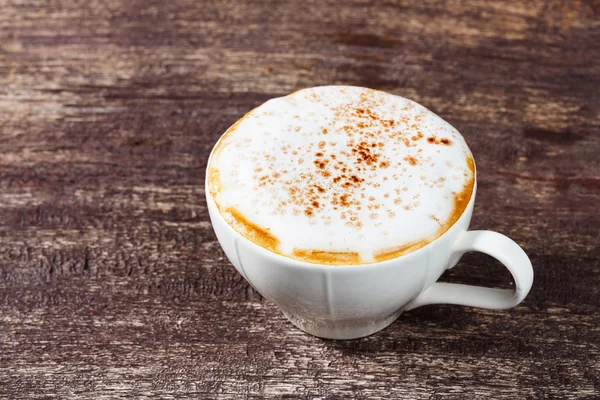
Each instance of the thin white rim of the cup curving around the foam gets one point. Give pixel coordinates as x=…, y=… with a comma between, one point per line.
x=211, y=203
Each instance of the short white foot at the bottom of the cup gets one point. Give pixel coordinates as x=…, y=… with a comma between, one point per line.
x=341, y=330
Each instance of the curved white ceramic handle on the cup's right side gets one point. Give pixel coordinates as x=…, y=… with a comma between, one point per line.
x=502, y=249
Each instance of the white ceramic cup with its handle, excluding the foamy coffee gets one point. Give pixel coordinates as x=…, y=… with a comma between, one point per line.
x=348, y=302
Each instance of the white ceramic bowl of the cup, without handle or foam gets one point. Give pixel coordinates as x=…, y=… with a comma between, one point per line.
x=340, y=302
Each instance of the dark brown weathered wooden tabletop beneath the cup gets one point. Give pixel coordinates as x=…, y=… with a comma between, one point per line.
x=112, y=284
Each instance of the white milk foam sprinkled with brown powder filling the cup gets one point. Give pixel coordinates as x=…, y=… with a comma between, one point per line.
x=342, y=169
